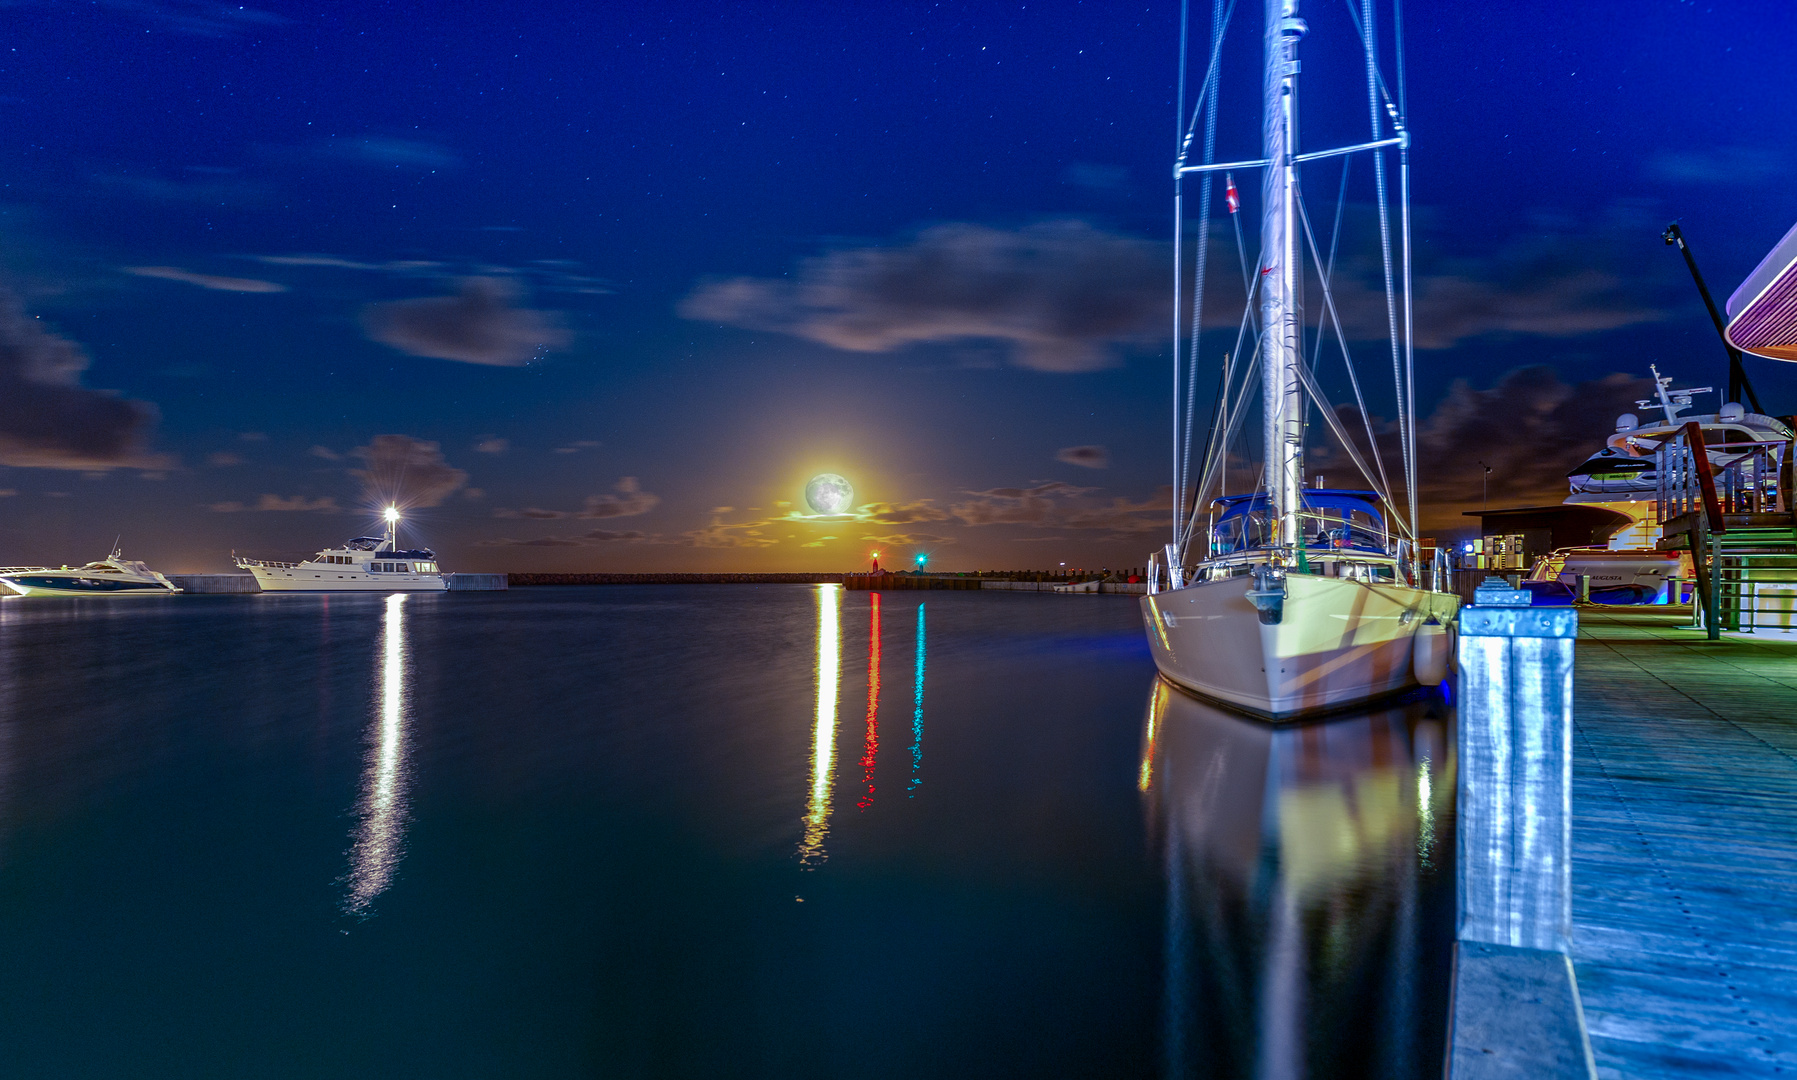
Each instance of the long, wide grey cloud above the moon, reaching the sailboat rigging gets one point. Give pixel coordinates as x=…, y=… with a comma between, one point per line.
x=1059, y=294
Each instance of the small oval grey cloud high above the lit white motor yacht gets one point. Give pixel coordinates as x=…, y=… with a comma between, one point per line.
x=475, y=326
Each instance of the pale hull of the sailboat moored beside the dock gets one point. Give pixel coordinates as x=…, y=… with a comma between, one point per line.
x=1338, y=642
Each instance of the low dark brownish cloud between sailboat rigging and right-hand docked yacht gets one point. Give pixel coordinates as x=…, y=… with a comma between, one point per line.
x=1530, y=429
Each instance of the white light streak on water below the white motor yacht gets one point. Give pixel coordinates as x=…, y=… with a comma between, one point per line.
x=382, y=833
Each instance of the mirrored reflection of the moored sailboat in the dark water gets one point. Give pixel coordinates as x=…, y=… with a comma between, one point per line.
x=1309, y=889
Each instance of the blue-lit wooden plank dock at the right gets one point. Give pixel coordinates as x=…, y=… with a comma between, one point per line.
x=1685, y=849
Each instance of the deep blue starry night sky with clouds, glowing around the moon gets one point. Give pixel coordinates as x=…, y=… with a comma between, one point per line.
x=599, y=287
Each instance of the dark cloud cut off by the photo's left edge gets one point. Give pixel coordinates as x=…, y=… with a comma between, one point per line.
x=48, y=418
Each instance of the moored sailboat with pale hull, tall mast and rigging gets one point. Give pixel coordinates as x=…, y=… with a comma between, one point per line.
x=1298, y=599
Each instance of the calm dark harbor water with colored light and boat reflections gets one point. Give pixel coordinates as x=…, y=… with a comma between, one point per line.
x=702, y=831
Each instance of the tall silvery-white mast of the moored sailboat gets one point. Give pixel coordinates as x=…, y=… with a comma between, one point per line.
x=1280, y=315
